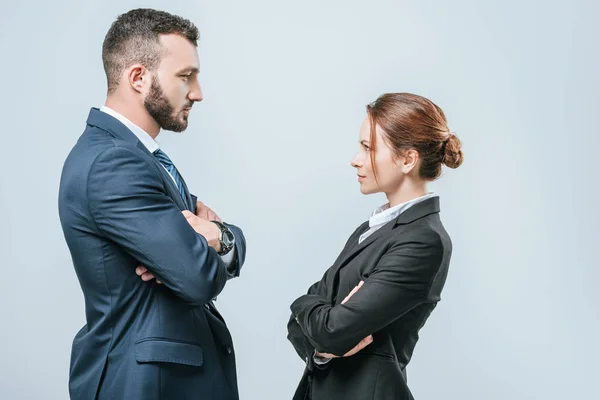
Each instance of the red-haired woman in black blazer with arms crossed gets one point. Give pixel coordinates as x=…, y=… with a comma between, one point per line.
x=357, y=327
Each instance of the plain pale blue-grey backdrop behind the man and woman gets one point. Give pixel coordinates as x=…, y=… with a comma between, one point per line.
x=269, y=149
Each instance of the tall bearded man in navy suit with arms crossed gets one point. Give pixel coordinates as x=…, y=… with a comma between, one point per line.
x=124, y=207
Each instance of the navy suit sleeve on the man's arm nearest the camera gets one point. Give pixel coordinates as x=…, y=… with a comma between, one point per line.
x=130, y=207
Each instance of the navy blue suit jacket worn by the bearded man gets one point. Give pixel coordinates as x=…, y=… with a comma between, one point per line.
x=119, y=208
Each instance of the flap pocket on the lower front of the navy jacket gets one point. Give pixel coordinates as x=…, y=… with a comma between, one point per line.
x=168, y=350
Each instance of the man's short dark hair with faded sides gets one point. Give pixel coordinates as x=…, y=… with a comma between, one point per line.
x=134, y=38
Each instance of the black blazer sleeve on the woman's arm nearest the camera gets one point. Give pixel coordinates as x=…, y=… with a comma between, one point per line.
x=399, y=282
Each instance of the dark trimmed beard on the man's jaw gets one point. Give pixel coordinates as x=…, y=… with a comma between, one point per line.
x=162, y=111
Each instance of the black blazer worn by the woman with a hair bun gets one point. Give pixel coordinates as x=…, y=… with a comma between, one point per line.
x=404, y=266
